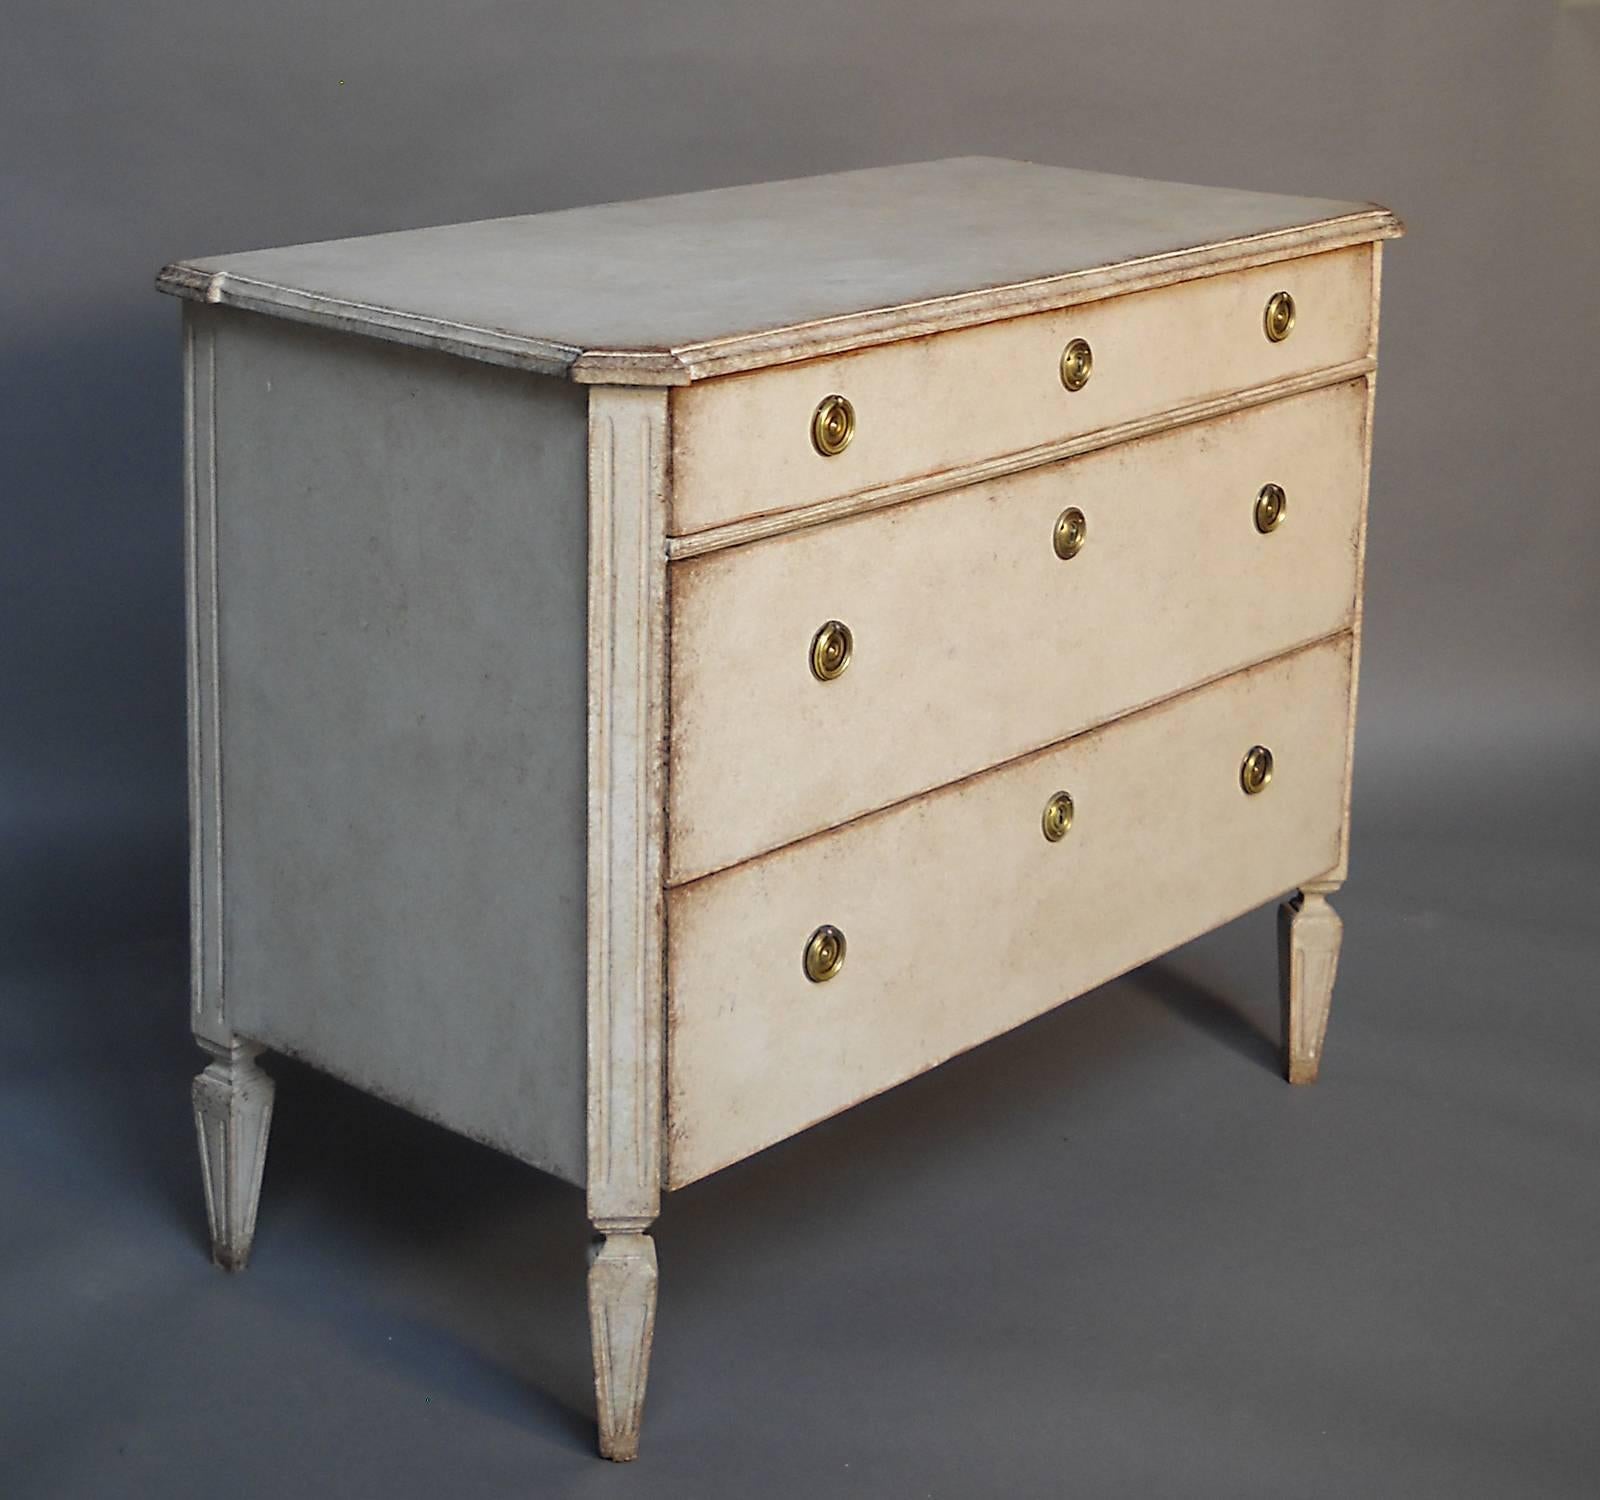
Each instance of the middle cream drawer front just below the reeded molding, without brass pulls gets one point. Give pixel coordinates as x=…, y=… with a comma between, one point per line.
x=974, y=642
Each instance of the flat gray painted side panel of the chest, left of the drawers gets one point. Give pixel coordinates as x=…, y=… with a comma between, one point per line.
x=402, y=584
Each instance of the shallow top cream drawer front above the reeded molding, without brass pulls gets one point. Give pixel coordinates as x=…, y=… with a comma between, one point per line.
x=743, y=445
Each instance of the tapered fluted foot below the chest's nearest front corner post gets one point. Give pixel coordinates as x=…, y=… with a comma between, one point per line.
x=622, y=1328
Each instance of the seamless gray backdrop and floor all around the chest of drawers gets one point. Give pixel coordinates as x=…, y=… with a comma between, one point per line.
x=1378, y=1287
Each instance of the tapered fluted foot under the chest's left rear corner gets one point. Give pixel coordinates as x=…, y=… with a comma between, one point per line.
x=233, y=1115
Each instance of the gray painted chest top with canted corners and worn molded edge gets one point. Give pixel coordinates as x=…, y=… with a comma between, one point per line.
x=670, y=290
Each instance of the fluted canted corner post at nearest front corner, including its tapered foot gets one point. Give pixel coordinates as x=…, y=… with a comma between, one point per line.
x=628, y=600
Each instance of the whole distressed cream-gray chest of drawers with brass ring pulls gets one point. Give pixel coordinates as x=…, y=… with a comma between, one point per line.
x=666, y=672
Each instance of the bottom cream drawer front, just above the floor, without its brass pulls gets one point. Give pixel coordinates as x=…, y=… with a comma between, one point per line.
x=962, y=920
